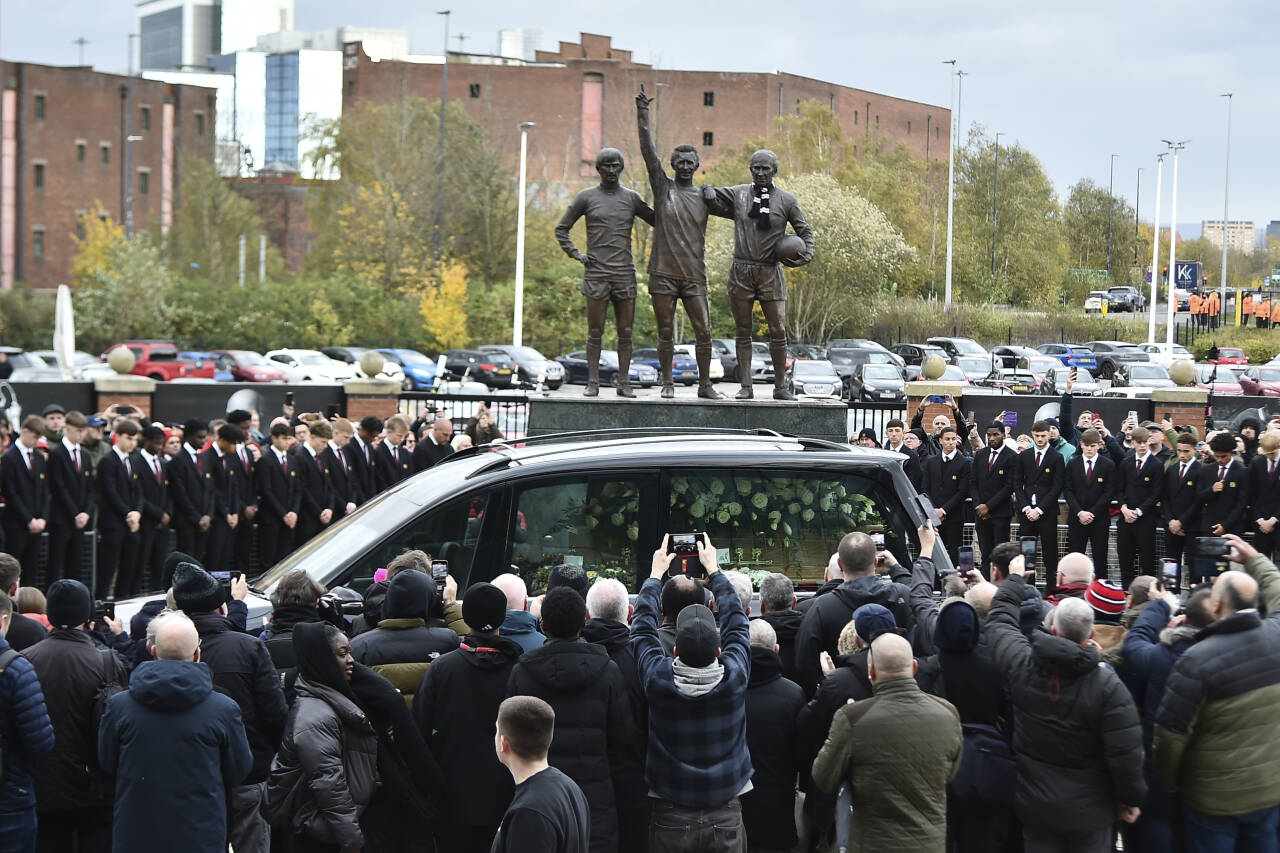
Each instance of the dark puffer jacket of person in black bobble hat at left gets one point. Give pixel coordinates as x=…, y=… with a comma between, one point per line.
x=244, y=670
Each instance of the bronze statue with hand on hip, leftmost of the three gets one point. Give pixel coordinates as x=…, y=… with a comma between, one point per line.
x=609, y=270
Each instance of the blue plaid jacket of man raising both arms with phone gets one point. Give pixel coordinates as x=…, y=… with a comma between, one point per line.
x=698, y=755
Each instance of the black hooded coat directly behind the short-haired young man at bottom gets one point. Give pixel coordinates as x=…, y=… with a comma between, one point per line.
x=595, y=729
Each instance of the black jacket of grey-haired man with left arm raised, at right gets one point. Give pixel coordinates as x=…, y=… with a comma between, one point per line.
x=1077, y=738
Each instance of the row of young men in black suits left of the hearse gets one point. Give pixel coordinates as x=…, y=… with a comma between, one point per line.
x=228, y=492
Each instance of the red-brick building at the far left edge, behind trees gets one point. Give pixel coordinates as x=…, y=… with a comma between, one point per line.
x=62, y=138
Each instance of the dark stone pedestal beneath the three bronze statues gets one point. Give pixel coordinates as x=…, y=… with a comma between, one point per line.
x=808, y=418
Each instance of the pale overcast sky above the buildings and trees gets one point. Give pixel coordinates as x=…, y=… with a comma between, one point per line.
x=1075, y=83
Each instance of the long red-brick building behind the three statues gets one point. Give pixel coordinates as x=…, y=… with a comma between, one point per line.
x=583, y=98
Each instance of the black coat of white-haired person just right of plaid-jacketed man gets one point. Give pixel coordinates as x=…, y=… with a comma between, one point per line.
x=772, y=737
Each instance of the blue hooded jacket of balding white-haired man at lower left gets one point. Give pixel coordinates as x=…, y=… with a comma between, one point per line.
x=175, y=749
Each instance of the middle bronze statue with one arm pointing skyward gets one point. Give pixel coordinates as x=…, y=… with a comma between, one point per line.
x=678, y=272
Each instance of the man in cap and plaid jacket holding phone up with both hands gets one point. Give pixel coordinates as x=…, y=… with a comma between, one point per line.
x=698, y=763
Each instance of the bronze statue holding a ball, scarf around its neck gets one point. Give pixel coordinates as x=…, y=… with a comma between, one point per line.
x=761, y=213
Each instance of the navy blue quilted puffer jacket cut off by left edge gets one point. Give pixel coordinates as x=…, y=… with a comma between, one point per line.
x=26, y=732
